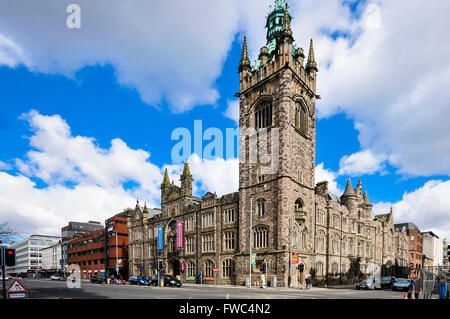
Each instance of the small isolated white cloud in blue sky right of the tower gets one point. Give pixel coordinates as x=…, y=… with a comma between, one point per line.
x=360, y=163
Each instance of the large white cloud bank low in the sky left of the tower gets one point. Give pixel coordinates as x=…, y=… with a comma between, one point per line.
x=87, y=182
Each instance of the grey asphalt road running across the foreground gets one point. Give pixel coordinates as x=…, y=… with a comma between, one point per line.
x=46, y=289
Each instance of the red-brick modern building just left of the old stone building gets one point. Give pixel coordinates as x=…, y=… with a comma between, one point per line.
x=96, y=253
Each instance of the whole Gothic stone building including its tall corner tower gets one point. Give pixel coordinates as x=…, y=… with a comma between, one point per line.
x=335, y=238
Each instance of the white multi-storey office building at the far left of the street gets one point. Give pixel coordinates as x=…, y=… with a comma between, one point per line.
x=29, y=254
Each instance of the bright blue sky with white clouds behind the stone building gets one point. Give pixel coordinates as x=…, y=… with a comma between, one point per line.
x=102, y=96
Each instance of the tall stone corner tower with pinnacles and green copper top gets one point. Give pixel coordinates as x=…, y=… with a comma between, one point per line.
x=278, y=96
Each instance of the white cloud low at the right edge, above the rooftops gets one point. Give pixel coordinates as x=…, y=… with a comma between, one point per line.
x=428, y=207
